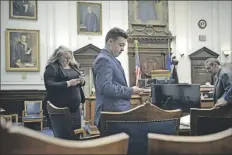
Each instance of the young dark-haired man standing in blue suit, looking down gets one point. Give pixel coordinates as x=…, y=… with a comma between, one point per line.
x=112, y=91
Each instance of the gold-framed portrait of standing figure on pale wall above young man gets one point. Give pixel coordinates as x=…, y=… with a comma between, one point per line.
x=89, y=18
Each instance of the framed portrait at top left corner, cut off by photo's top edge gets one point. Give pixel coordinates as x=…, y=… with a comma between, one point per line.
x=23, y=9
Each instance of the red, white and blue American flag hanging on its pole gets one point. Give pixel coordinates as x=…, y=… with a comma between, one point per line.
x=137, y=64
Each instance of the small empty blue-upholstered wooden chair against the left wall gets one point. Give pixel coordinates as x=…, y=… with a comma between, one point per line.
x=33, y=112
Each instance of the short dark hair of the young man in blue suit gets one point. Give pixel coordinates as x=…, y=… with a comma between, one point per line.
x=114, y=33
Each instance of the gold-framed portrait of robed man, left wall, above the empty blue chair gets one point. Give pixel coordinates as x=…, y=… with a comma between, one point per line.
x=22, y=50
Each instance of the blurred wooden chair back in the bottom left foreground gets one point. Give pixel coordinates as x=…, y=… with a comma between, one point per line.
x=21, y=140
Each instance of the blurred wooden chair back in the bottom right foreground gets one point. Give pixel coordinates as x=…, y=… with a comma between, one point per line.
x=218, y=143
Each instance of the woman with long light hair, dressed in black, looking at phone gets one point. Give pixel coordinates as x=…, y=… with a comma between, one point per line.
x=63, y=83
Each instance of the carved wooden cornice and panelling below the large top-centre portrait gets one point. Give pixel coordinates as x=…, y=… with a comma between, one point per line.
x=152, y=45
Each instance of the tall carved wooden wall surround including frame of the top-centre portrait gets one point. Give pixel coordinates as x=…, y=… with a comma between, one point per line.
x=153, y=38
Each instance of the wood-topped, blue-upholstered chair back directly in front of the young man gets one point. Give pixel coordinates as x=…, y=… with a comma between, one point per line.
x=138, y=122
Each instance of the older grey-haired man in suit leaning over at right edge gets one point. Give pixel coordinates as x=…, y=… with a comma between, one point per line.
x=223, y=81
